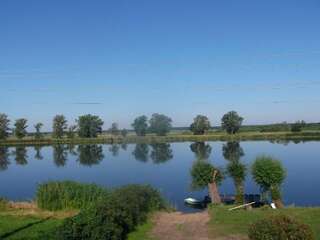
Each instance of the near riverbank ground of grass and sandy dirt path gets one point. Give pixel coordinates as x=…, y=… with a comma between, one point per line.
x=26, y=221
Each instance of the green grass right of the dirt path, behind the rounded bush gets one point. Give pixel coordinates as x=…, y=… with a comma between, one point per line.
x=224, y=222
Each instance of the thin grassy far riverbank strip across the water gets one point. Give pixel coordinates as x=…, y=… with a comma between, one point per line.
x=173, y=137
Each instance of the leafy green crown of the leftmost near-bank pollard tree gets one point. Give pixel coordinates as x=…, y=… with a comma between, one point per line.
x=202, y=174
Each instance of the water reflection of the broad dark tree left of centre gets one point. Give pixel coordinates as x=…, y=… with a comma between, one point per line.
x=90, y=154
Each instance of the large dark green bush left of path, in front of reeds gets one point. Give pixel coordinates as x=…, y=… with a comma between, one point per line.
x=114, y=217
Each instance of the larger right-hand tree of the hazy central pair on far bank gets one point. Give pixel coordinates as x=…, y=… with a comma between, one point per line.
x=160, y=124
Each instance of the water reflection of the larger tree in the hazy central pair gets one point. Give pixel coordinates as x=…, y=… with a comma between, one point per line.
x=161, y=152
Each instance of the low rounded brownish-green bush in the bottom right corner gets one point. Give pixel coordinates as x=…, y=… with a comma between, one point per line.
x=280, y=228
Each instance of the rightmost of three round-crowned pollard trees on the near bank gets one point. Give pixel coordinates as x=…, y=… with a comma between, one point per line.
x=269, y=174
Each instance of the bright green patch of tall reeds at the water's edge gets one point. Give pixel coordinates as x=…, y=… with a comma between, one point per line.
x=68, y=195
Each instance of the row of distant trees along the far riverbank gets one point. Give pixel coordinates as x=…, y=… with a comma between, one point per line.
x=90, y=126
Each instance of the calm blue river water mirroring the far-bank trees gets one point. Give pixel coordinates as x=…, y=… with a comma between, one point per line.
x=165, y=166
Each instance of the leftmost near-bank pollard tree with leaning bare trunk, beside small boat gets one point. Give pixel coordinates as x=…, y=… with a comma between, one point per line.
x=204, y=175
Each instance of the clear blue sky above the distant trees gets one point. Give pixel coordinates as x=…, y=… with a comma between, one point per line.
x=119, y=59
